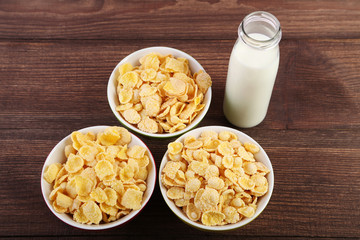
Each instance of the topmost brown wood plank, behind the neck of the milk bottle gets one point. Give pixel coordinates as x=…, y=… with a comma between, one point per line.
x=185, y=19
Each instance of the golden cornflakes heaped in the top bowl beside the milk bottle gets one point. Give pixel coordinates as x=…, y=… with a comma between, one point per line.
x=161, y=95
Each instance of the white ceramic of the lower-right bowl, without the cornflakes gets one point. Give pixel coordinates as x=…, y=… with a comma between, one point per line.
x=262, y=201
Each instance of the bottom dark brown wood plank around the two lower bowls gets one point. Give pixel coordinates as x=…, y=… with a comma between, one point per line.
x=316, y=190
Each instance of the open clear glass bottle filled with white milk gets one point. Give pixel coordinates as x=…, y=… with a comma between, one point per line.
x=253, y=66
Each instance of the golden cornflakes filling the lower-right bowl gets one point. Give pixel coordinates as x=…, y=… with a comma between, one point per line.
x=214, y=179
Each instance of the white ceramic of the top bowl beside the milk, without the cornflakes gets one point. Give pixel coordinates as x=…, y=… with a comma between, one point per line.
x=133, y=58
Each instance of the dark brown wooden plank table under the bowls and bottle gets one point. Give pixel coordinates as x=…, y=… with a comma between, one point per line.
x=55, y=61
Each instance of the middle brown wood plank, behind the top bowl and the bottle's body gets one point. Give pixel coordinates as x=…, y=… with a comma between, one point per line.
x=48, y=83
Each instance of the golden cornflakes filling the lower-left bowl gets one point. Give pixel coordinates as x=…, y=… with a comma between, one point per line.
x=102, y=179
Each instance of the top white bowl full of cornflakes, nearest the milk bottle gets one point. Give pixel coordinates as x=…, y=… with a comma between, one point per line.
x=159, y=92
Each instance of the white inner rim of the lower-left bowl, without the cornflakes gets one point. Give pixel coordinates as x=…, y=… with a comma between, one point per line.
x=123, y=220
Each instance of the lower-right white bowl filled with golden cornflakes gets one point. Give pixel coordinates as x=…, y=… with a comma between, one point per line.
x=216, y=178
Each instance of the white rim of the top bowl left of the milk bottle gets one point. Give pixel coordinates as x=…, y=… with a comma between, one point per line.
x=143, y=51
